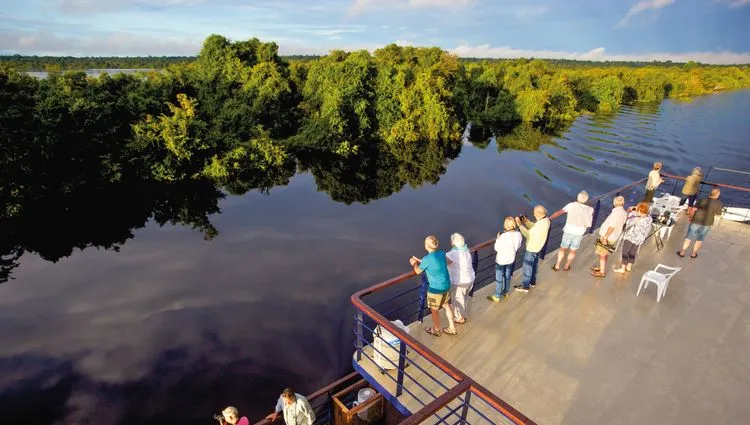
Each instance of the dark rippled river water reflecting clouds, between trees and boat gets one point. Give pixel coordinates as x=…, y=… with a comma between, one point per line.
x=172, y=328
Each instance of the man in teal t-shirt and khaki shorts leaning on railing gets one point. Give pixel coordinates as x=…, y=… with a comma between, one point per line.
x=435, y=265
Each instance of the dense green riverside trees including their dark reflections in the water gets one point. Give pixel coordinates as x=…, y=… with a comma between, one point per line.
x=85, y=161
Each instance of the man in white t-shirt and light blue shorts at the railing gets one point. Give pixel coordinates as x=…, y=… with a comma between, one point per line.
x=579, y=219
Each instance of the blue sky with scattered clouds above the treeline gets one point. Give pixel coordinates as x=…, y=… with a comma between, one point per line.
x=709, y=31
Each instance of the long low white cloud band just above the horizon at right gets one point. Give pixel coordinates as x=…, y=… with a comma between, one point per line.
x=600, y=54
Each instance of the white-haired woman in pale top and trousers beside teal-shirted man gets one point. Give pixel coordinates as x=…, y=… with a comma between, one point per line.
x=462, y=275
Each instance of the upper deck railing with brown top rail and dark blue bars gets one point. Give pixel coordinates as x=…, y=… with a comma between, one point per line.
x=440, y=392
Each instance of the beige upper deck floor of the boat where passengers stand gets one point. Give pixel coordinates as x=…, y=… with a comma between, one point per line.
x=581, y=350
